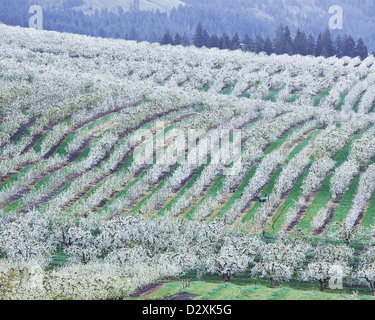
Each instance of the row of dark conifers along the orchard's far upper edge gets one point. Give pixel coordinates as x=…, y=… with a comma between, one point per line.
x=282, y=43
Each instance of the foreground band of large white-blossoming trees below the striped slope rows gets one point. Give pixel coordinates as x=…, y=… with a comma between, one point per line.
x=103, y=253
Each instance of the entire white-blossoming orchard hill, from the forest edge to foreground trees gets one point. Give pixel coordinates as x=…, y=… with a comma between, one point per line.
x=98, y=168
